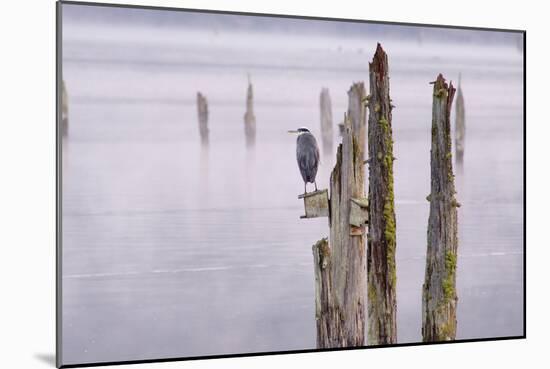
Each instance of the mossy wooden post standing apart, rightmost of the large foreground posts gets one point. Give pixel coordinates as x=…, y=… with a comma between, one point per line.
x=439, y=296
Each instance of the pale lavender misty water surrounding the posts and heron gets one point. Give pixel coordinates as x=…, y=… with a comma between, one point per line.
x=173, y=250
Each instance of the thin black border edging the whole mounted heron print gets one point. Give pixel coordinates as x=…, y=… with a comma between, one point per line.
x=58, y=184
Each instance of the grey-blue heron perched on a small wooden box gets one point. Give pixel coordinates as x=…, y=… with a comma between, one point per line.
x=307, y=155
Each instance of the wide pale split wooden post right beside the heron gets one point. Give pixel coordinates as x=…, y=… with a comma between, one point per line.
x=340, y=266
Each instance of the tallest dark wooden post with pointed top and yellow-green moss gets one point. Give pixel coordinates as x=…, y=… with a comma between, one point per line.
x=381, y=239
